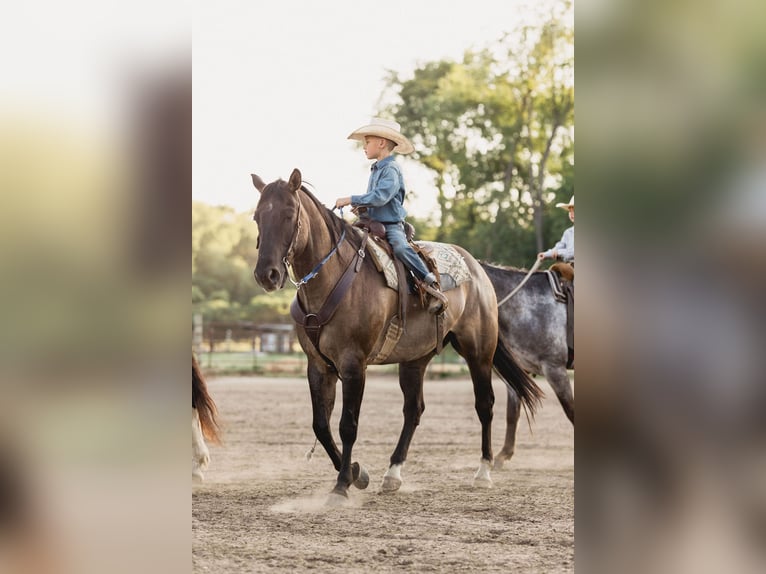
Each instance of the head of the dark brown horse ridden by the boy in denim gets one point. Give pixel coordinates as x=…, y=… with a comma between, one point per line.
x=278, y=217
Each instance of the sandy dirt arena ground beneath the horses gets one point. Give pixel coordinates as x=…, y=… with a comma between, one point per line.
x=262, y=505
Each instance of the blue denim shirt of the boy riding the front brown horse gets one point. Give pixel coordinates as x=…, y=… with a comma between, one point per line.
x=384, y=199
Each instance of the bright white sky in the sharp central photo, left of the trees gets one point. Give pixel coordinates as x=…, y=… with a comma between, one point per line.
x=281, y=85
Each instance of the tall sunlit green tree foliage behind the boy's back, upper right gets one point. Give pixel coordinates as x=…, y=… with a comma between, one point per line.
x=496, y=129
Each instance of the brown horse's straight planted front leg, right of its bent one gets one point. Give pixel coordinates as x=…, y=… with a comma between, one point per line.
x=353, y=380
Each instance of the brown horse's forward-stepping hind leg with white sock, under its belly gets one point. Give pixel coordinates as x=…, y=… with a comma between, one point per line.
x=411, y=382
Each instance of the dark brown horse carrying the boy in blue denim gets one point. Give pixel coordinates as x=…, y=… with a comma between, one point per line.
x=296, y=230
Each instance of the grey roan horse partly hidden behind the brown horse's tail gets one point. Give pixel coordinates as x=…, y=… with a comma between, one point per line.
x=533, y=324
